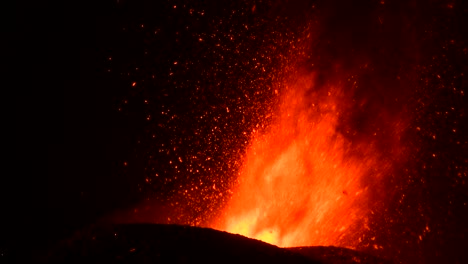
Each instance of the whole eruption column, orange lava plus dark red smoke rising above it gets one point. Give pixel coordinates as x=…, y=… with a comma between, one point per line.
x=336, y=137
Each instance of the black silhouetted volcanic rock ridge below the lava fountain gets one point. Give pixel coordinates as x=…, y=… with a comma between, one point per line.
x=151, y=243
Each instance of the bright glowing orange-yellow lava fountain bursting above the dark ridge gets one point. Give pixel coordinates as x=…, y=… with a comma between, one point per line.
x=303, y=181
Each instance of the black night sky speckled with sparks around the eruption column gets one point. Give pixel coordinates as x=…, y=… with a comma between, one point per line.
x=98, y=144
